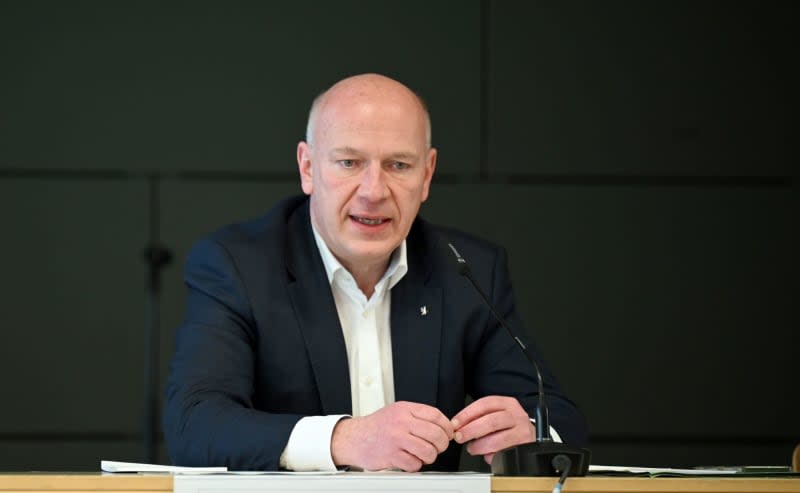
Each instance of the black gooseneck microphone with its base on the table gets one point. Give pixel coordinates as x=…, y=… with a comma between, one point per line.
x=544, y=457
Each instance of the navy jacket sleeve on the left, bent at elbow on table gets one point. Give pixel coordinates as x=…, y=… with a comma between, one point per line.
x=209, y=418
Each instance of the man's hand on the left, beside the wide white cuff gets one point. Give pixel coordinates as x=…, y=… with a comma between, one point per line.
x=403, y=435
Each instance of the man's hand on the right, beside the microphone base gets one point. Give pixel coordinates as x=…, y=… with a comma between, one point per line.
x=491, y=424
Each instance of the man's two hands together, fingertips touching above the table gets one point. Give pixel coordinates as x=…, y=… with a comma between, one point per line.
x=407, y=435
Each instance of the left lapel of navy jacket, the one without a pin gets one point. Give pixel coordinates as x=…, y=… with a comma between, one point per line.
x=317, y=316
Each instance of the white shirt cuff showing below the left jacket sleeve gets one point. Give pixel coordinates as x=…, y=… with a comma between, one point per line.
x=309, y=445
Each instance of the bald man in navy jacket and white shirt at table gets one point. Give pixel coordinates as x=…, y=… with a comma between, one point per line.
x=335, y=332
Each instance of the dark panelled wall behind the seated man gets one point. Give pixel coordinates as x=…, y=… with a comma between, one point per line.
x=637, y=159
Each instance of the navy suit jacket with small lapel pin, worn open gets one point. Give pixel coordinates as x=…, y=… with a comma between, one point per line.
x=261, y=345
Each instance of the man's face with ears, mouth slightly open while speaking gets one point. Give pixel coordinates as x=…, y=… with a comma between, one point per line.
x=368, y=171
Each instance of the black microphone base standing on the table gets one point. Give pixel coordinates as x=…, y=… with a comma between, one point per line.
x=536, y=459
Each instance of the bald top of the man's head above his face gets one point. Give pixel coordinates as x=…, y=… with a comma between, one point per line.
x=364, y=88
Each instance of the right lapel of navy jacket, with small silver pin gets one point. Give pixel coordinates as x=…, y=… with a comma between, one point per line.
x=416, y=319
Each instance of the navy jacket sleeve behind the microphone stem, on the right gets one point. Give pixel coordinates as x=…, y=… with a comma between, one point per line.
x=502, y=369
